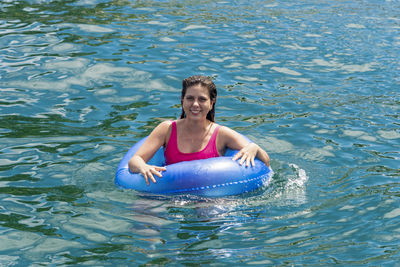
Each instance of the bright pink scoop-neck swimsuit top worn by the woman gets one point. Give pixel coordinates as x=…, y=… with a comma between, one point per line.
x=173, y=155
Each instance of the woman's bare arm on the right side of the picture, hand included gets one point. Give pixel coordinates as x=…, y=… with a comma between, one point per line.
x=247, y=151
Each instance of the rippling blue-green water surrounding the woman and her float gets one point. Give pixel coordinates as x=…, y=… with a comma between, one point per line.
x=315, y=83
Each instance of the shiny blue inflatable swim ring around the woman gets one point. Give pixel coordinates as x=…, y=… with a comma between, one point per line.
x=213, y=177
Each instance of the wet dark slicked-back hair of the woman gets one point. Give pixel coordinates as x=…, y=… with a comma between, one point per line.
x=203, y=81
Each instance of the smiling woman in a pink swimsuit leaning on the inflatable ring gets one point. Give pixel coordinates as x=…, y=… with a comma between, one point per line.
x=195, y=135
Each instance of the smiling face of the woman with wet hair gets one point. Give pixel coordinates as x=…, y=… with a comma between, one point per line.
x=197, y=103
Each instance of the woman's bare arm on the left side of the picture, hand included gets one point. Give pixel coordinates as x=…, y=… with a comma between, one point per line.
x=138, y=163
